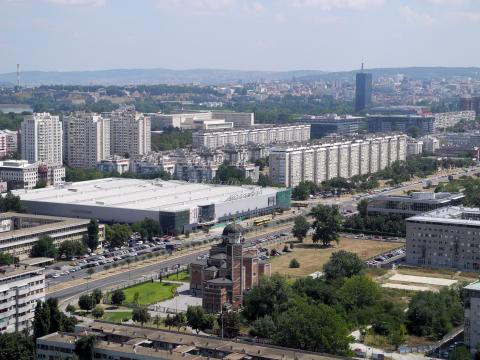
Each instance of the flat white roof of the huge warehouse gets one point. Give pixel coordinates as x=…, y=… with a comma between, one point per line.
x=142, y=194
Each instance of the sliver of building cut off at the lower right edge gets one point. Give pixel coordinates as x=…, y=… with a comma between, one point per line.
x=471, y=334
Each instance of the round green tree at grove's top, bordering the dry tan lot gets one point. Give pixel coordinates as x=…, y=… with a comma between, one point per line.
x=342, y=264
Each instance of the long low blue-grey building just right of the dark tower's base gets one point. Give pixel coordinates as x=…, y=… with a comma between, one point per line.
x=401, y=123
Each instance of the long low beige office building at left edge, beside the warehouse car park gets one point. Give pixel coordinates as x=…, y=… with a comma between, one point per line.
x=19, y=232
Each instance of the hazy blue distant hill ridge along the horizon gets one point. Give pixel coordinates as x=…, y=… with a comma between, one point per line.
x=214, y=76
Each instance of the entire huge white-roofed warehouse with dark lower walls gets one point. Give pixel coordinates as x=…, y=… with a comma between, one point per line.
x=177, y=205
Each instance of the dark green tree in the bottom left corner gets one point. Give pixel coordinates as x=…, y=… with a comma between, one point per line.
x=17, y=345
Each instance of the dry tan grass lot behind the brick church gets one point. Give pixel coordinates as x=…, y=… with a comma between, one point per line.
x=313, y=256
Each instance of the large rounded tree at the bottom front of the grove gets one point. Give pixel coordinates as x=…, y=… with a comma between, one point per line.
x=313, y=328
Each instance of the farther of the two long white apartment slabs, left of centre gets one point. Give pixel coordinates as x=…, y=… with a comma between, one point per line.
x=262, y=135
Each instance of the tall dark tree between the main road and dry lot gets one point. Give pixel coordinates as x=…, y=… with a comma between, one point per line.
x=328, y=222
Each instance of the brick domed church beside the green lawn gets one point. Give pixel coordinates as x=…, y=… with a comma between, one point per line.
x=231, y=268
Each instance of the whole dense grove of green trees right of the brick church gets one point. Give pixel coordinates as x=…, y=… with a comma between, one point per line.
x=319, y=314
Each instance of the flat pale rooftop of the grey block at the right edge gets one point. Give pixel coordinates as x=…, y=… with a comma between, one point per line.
x=453, y=215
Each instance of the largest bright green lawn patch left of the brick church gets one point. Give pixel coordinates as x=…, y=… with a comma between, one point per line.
x=149, y=292
